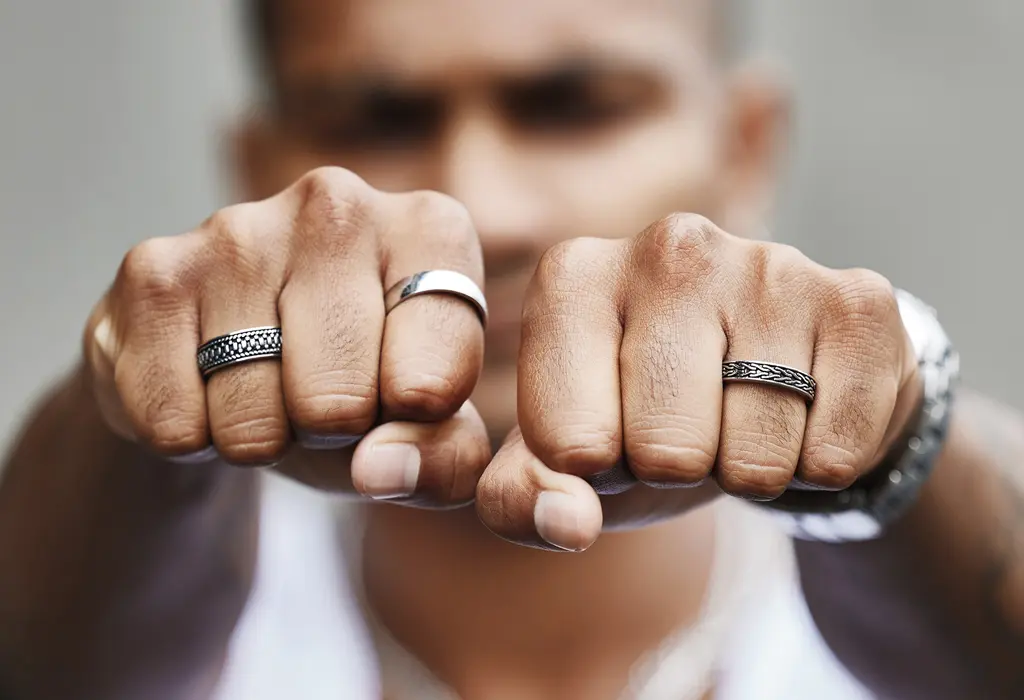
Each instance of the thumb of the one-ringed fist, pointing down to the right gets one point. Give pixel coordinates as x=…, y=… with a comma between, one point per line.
x=524, y=502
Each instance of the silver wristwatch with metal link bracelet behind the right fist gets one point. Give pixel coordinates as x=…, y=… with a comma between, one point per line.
x=867, y=509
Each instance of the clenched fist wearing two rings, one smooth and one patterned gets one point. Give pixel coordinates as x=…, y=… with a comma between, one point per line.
x=317, y=261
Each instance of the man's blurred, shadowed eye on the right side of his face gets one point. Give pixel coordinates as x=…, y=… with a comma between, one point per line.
x=573, y=102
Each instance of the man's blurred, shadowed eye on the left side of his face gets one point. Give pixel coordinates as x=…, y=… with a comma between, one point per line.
x=376, y=120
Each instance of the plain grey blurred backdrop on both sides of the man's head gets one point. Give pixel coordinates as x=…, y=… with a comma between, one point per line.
x=908, y=157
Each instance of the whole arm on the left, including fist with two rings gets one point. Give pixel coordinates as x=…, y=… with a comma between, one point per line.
x=122, y=576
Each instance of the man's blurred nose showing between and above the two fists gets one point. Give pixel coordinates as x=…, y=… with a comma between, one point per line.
x=483, y=168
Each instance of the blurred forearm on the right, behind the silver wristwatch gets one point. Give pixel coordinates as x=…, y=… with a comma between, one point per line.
x=935, y=609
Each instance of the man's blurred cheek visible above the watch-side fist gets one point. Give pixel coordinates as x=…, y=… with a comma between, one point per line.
x=617, y=188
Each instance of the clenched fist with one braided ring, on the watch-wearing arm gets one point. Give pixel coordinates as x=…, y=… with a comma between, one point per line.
x=621, y=372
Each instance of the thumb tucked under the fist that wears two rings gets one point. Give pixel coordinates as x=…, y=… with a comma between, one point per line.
x=436, y=465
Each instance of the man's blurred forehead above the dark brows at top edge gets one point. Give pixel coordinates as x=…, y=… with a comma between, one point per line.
x=449, y=39
